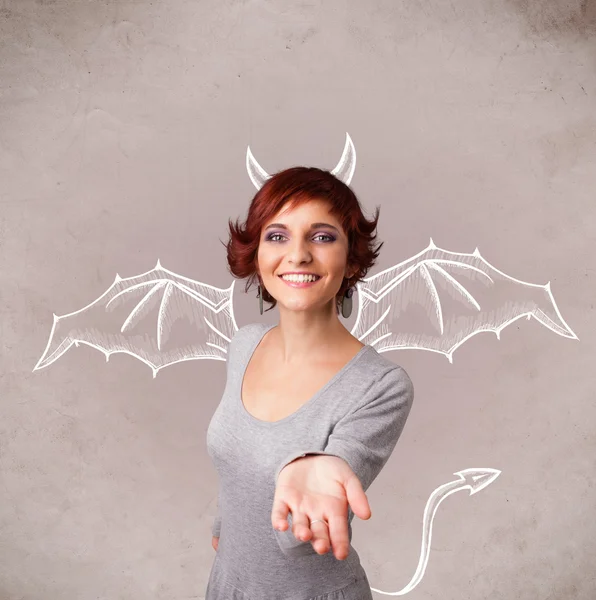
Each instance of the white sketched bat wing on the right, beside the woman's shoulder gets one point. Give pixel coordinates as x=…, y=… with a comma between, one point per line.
x=438, y=299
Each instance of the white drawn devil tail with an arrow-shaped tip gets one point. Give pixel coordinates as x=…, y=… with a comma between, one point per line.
x=469, y=479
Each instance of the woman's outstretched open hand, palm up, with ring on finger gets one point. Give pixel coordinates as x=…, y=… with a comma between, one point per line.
x=319, y=487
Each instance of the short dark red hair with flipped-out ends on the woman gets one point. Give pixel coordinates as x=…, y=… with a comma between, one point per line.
x=296, y=186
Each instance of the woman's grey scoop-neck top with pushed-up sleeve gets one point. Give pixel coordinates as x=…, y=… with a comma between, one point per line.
x=358, y=416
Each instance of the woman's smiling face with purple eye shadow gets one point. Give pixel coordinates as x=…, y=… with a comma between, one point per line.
x=307, y=239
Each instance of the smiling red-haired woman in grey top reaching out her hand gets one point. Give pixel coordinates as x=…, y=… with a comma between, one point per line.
x=309, y=414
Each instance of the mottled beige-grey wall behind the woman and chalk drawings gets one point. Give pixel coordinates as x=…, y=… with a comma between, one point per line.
x=123, y=135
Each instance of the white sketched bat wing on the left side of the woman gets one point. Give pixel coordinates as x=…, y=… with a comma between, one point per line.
x=159, y=317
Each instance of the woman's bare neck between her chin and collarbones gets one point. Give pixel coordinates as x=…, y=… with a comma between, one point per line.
x=302, y=336
